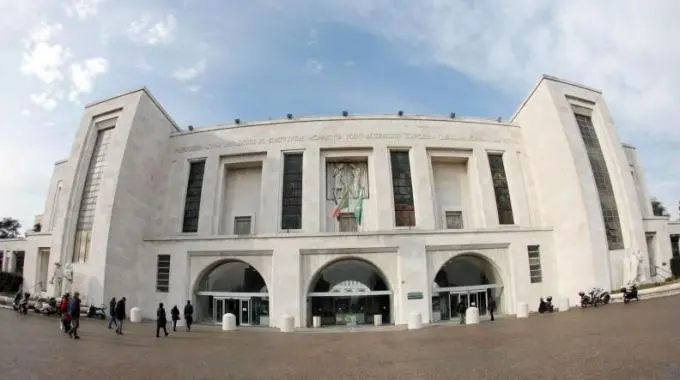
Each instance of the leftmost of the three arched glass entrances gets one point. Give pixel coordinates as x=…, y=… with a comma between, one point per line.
x=233, y=287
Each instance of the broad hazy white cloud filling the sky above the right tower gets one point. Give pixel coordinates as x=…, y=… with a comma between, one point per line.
x=624, y=47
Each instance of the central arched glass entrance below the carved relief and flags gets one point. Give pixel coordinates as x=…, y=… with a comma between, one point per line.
x=349, y=292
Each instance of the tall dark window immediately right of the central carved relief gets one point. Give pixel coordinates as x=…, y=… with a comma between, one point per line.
x=402, y=189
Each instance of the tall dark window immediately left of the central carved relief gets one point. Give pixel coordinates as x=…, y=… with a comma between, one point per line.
x=291, y=197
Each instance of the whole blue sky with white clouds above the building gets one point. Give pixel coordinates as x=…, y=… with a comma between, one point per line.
x=211, y=61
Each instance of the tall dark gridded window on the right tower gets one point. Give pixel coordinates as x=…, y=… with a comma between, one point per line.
x=610, y=212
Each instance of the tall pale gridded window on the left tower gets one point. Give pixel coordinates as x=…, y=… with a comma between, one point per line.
x=88, y=202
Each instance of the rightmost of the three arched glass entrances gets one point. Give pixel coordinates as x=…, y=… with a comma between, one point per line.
x=467, y=278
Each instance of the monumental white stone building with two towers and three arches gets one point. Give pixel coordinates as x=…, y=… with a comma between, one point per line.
x=345, y=217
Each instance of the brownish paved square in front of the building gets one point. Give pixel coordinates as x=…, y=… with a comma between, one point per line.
x=636, y=341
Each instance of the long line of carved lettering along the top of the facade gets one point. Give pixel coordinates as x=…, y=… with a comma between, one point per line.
x=320, y=138
